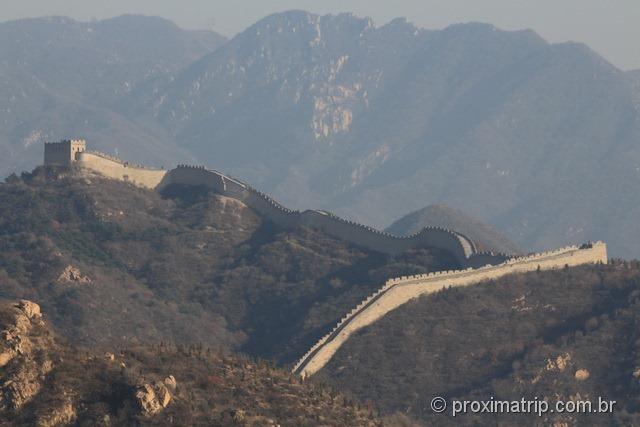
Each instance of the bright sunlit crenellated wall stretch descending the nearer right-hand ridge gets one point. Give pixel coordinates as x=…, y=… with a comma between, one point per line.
x=400, y=290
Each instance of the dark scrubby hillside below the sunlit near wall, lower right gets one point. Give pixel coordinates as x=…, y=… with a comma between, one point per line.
x=560, y=335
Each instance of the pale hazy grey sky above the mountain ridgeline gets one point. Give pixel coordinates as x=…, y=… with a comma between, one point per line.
x=611, y=27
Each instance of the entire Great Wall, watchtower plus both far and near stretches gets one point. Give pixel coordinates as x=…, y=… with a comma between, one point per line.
x=477, y=266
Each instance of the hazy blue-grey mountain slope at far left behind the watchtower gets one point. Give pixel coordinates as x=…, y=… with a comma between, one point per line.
x=59, y=76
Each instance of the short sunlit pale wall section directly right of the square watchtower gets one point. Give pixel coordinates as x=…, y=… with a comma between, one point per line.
x=112, y=167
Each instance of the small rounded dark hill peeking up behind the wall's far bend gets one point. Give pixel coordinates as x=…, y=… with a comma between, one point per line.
x=444, y=216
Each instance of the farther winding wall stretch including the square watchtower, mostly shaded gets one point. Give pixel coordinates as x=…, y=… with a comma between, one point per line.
x=74, y=153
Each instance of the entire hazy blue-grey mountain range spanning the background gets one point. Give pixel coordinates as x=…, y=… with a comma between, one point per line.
x=368, y=122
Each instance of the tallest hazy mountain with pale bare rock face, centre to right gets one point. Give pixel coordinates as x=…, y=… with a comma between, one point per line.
x=374, y=122
